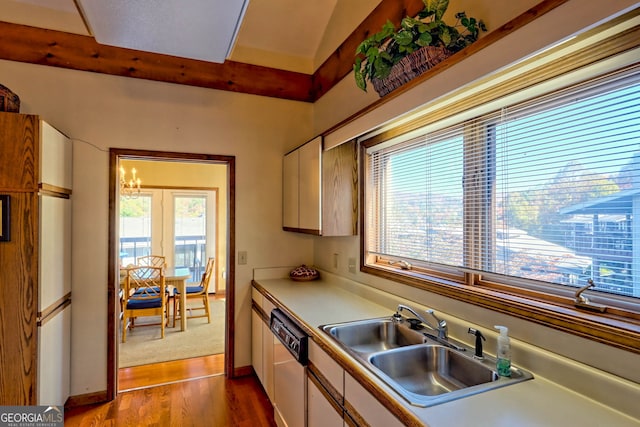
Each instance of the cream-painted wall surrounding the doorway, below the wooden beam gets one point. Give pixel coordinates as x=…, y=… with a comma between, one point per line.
x=99, y=112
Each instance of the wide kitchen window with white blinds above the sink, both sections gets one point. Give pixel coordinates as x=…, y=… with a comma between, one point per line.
x=542, y=194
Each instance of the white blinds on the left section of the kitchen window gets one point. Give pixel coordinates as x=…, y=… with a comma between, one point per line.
x=416, y=198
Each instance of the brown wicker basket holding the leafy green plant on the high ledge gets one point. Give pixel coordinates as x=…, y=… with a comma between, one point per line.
x=410, y=67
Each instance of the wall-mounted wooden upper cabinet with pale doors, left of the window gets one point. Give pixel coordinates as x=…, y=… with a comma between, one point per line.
x=320, y=189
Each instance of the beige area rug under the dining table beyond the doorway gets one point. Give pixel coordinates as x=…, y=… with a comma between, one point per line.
x=145, y=346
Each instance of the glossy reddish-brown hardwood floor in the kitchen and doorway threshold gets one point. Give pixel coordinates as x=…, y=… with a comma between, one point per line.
x=211, y=400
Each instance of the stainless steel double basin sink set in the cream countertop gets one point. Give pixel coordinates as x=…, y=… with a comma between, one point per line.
x=423, y=369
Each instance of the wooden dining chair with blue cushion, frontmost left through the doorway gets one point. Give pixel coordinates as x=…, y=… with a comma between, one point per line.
x=144, y=293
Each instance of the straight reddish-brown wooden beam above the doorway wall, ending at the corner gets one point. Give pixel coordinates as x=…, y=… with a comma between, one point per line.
x=59, y=49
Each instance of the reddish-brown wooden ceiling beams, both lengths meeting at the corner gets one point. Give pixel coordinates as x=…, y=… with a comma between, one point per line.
x=77, y=52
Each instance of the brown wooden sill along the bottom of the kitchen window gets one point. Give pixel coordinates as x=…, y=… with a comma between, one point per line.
x=614, y=327
